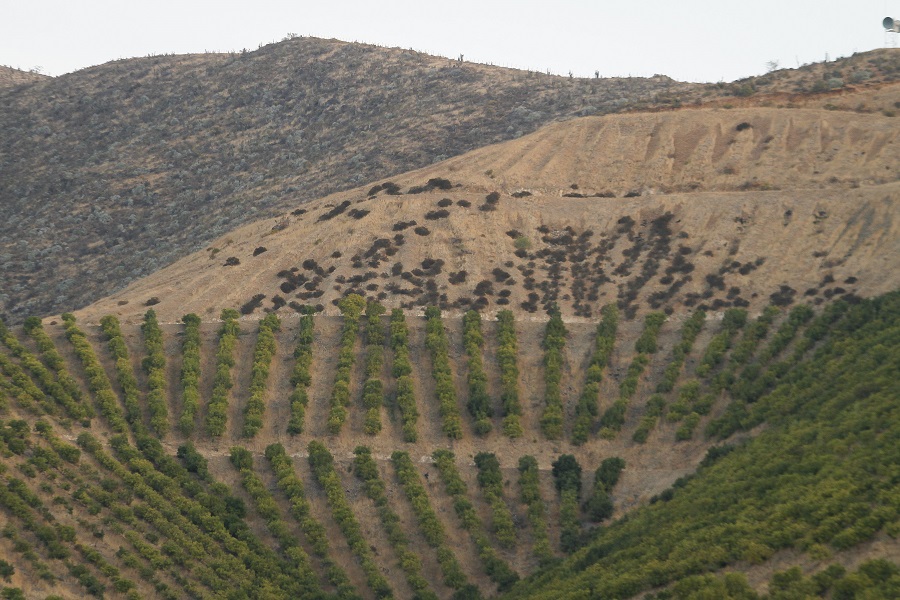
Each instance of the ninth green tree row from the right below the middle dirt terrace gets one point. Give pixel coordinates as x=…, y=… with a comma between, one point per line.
x=313, y=530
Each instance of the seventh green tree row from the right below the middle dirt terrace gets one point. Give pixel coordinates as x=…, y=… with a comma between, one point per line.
x=367, y=471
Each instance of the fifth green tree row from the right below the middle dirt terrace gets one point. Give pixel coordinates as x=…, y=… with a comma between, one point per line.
x=495, y=567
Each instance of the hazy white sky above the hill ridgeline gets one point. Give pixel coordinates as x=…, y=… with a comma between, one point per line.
x=692, y=40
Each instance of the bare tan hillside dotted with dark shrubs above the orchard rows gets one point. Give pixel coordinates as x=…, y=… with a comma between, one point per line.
x=707, y=208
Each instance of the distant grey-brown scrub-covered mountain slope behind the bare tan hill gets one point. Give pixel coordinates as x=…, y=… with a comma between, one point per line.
x=145, y=159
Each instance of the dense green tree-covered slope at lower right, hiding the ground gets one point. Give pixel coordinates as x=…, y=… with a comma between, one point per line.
x=819, y=478
